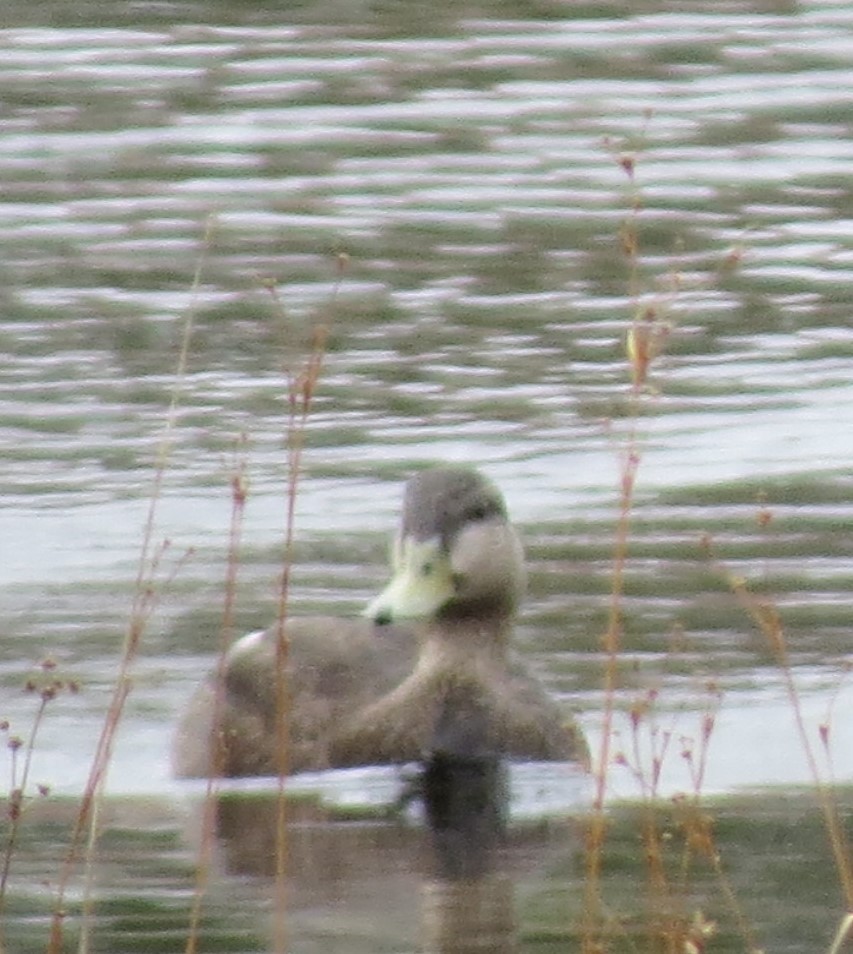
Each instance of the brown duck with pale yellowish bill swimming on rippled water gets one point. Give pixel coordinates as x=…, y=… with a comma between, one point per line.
x=427, y=670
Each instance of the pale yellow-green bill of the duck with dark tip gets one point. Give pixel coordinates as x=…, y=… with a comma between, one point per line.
x=422, y=583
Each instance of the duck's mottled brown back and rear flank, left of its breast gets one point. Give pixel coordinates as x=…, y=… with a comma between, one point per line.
x=333, y=667
